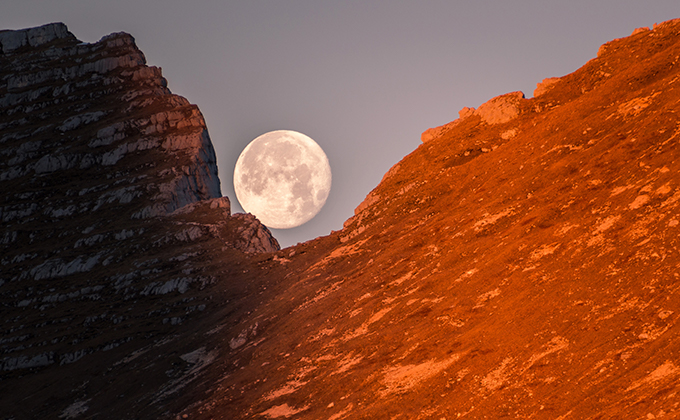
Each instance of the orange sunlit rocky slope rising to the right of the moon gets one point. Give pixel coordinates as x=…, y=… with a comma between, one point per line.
x=522, y=263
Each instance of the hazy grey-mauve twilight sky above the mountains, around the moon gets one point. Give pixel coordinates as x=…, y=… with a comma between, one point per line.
x=363, y=78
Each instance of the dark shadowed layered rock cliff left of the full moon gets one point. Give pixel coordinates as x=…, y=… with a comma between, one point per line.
x=109, y=202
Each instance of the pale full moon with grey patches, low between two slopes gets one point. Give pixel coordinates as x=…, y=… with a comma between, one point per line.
x=283, y=178
